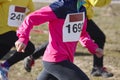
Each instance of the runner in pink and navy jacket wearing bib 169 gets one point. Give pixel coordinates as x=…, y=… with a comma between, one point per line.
x=67, y=25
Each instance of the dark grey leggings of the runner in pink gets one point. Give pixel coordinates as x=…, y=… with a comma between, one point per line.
x=64, y=70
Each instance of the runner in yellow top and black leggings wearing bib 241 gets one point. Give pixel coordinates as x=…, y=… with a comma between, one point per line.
x=12, y=13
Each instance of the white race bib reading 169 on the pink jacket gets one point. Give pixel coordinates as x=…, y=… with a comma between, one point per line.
x=72, y=27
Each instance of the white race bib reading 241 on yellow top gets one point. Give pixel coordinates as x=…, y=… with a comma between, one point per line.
x=16, y=15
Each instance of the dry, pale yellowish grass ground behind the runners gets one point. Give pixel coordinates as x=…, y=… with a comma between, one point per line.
x=109, y=20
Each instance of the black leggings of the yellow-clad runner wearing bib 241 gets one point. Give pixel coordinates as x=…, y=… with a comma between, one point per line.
x=7, y=41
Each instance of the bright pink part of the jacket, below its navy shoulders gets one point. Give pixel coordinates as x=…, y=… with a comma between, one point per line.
x=57, y=50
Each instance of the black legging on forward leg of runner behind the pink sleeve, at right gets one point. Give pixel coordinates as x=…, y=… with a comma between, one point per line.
x=99, y=37
